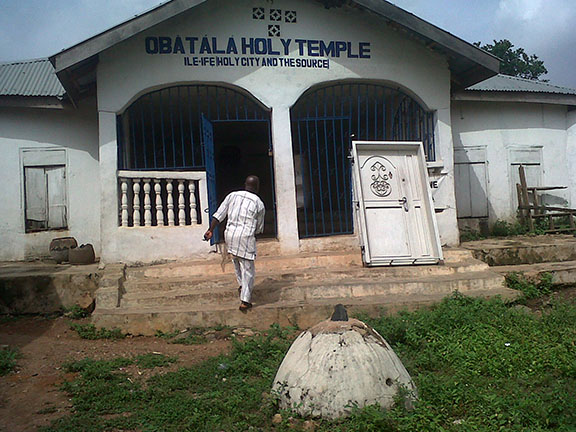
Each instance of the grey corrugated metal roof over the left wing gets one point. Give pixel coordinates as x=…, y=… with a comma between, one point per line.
x=29, y=78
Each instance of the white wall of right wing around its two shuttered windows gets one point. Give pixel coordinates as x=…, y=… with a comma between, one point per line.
x=503, y=126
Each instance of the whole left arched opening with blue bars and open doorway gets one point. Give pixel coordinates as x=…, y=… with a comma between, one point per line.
x=223, y=131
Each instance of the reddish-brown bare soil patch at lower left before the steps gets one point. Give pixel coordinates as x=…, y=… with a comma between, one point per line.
x=30, y=397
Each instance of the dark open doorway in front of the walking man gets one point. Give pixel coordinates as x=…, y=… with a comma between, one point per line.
x=242, y=148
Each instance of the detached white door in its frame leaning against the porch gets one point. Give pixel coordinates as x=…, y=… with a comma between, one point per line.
x=395, y=211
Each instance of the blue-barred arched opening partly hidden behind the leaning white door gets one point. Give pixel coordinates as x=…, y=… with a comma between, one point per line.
x=324, y=120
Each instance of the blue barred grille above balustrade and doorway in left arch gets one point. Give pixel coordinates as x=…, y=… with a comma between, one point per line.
x=162, y=129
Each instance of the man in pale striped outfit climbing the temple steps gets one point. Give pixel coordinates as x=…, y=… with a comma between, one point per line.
x=245, y=213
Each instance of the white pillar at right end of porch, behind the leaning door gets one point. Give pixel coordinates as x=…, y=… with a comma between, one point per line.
x=445, y=197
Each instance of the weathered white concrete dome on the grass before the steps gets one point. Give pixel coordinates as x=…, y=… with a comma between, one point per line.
x=338, y=365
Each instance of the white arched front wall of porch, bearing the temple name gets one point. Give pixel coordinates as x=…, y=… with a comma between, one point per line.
x=127, y=71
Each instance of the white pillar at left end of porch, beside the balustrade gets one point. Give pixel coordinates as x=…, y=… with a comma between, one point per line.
x=108, y=185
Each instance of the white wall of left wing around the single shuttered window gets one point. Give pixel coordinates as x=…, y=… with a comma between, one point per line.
x=76, y=132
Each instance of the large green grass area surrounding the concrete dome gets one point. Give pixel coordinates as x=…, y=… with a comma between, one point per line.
x=479, y=366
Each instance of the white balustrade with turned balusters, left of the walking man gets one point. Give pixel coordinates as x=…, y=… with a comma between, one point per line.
x=190, y=186
